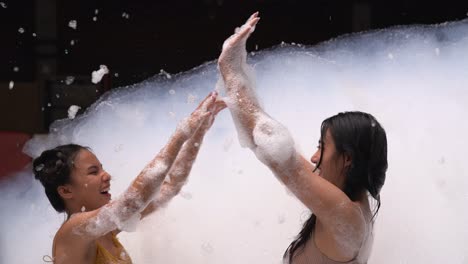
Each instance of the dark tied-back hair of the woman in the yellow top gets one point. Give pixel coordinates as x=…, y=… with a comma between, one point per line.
x=53, y=169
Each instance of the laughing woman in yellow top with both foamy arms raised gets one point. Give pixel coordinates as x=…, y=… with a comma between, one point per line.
x=76, y=183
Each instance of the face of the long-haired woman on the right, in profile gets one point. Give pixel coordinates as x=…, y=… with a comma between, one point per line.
x=331, y=164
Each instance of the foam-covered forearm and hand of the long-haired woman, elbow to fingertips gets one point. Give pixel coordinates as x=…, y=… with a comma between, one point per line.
x=269, y=139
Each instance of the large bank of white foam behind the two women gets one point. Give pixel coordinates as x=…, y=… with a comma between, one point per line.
x=419, y=97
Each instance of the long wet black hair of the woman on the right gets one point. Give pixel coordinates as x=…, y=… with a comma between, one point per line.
x=360, y=136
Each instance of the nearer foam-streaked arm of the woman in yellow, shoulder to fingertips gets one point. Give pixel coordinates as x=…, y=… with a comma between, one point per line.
x=88, y=226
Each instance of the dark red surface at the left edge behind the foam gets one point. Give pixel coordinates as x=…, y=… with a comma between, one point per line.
x=12, y=158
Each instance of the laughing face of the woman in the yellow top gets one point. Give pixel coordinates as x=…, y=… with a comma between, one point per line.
x=90, y=183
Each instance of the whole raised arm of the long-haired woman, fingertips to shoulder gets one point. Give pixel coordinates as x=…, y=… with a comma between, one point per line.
x=270, y=140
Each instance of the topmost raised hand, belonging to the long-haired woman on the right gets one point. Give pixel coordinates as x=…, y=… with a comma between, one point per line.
x=234, y=54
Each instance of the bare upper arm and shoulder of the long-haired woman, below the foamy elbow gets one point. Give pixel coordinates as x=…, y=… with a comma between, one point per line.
x=341, y=217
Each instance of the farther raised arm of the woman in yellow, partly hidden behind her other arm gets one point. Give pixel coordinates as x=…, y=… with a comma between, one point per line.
x=178, y=173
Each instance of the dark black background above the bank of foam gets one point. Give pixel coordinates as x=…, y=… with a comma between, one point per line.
x=173, y=36
